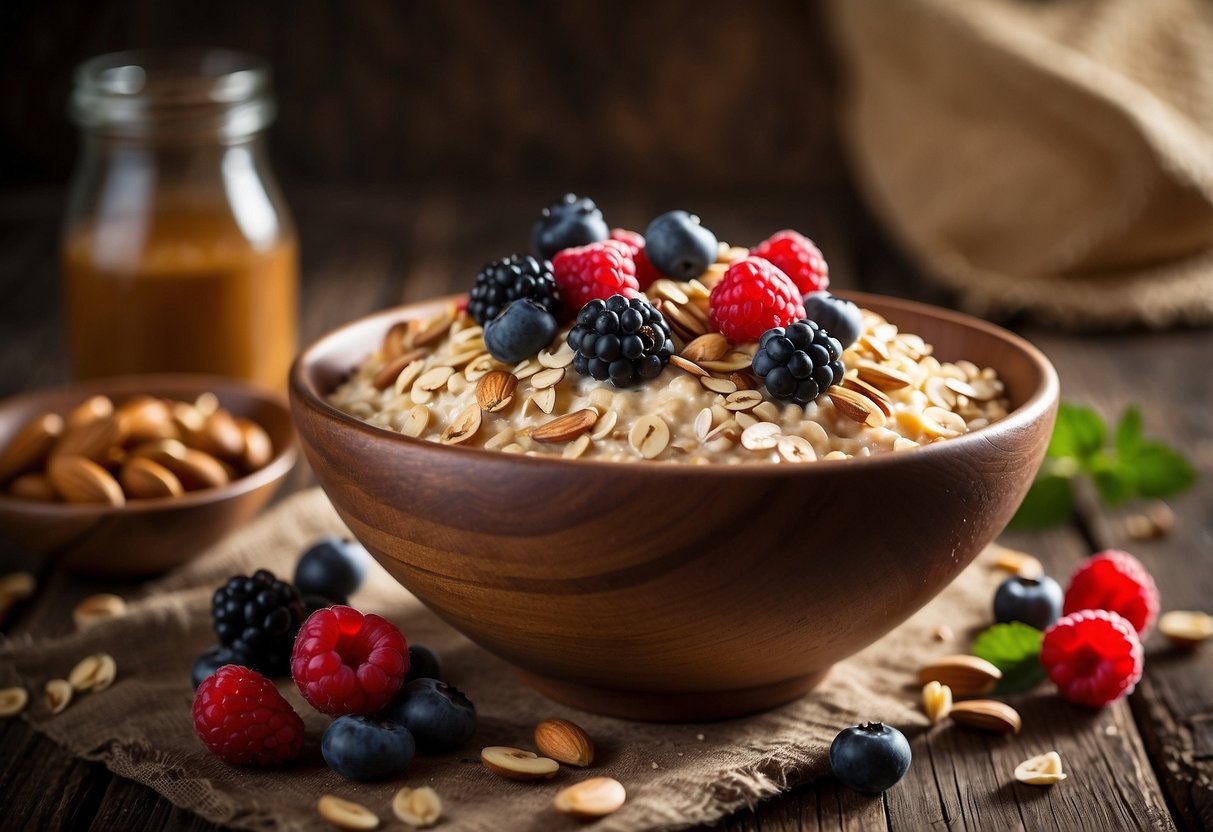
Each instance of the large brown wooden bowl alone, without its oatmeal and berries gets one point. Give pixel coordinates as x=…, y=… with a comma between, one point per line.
x=676, y=592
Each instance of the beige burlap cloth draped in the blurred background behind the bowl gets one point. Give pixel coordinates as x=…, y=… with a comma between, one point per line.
x=1044, y=156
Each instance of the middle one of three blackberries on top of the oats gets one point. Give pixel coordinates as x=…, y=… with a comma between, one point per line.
x=622, y=340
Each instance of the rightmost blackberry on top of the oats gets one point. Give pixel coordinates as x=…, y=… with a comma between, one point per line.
x=800, y=362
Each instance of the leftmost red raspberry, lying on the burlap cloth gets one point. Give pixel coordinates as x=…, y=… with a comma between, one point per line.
x=241, y=716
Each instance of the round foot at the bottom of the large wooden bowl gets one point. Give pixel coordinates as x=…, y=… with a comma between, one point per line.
x=674, y=706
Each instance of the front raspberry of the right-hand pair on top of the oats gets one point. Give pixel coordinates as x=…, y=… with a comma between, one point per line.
x=753, y=298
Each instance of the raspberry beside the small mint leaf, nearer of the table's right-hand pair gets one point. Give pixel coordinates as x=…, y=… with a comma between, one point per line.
x=1094, y=657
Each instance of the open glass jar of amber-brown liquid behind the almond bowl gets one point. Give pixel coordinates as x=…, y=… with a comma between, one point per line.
x=179, y=253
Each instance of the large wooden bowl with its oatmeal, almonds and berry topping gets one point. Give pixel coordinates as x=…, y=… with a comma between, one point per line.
x=667, y=477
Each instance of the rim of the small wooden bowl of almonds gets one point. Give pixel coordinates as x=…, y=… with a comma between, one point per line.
x=146, y=385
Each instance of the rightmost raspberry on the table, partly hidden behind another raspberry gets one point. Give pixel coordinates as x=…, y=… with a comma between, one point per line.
x=1114, y=582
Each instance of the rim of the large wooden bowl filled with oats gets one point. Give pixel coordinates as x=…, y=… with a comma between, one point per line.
x=304, y=392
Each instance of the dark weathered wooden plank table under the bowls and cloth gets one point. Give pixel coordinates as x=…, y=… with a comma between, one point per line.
x=1143, y=763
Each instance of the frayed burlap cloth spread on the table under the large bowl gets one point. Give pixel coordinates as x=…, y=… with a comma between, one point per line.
x=676, y=776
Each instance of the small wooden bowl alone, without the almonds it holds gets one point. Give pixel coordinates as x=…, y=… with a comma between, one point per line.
x=145, y=537
